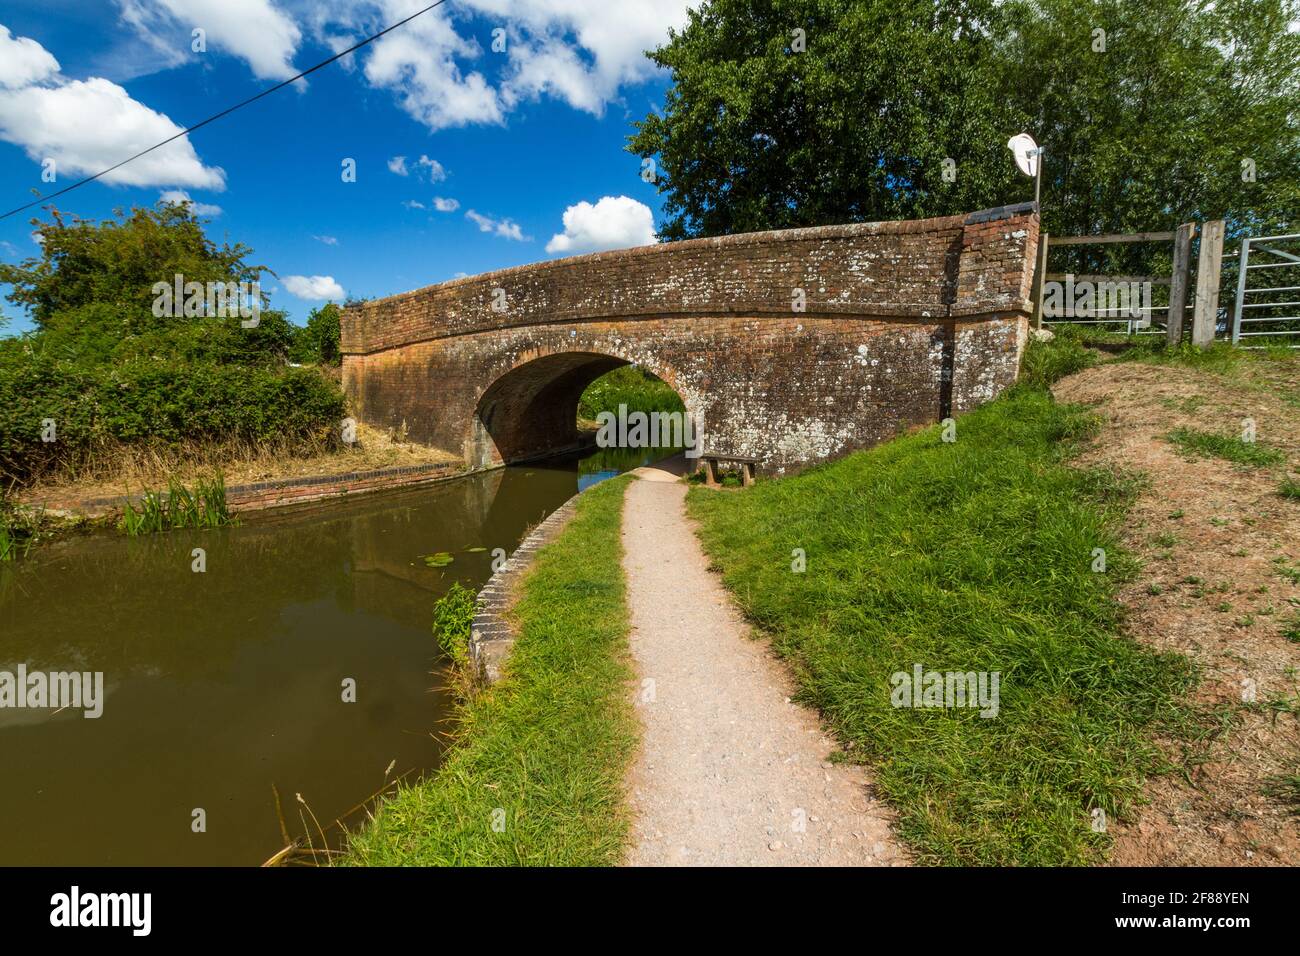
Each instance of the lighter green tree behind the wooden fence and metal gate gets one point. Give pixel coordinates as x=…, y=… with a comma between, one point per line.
x=1155, y=113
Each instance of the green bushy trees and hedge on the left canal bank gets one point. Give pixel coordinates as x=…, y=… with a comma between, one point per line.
x=110, y=373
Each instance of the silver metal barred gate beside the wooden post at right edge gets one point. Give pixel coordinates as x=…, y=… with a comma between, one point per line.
x=1277, y=272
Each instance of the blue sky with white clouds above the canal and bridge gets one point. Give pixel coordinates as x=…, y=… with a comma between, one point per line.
x=514, y=140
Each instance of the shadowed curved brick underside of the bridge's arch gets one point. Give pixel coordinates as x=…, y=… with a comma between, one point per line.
x=532, y=410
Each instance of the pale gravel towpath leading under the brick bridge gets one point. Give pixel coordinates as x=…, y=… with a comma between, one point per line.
x=730, y=772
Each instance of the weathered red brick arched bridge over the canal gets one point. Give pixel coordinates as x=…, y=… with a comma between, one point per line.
x=902, y=323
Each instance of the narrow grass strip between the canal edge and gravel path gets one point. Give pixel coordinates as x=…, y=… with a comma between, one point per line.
x=543, y=754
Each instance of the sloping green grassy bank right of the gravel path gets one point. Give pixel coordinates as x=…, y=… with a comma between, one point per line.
x=974, y=556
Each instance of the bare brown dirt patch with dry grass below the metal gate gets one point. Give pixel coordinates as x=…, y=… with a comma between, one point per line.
x=1220, y=583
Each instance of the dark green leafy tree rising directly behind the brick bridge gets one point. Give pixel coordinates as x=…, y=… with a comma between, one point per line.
x=857, y=127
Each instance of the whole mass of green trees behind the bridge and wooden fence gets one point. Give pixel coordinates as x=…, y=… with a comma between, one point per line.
x=1146, y=132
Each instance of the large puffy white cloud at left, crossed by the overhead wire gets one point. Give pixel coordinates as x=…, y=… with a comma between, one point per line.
x=89, y=126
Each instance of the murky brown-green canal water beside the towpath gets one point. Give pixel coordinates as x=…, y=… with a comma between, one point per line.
x=227, y=689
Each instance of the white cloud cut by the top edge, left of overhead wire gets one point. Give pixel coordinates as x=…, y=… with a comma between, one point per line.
x=253, y=31
